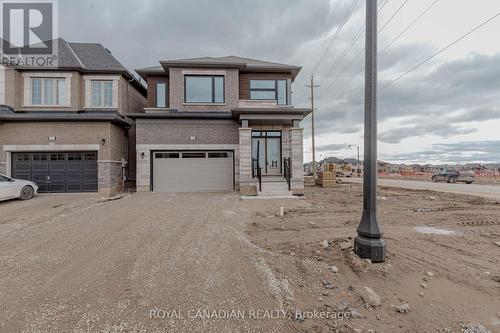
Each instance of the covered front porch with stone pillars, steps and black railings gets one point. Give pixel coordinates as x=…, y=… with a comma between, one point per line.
x=271, y=152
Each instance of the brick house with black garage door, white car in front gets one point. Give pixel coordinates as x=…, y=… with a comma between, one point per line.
x=66, y=128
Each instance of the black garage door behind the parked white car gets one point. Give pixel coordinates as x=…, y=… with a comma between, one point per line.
x=57, y=172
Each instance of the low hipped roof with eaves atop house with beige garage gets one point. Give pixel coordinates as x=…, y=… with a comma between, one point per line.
x=241, y=63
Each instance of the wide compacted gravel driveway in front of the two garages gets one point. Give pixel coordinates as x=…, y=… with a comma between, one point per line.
x=143, y=263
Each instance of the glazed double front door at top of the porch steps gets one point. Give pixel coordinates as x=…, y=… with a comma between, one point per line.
x=268, y=145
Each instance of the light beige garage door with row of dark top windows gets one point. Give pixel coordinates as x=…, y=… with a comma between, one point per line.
x=192, y=171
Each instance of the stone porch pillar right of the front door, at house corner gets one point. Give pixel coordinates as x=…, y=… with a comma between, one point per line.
x=296, y=157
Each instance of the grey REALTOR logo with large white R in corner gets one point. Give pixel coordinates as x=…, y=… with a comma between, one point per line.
x=29, y=31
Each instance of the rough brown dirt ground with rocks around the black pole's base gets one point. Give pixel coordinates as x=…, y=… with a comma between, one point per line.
x=442, y=273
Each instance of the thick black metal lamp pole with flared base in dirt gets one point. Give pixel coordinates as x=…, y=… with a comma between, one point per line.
x=369, y=243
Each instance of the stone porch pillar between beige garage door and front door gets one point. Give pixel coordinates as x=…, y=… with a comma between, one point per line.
x=248, y=186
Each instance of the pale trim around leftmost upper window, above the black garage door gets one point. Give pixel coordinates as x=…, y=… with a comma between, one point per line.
x=27, y=76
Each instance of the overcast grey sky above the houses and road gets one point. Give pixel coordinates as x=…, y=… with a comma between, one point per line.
x=446, y=111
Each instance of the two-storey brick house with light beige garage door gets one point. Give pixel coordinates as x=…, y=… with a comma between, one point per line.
x=211, y=124
